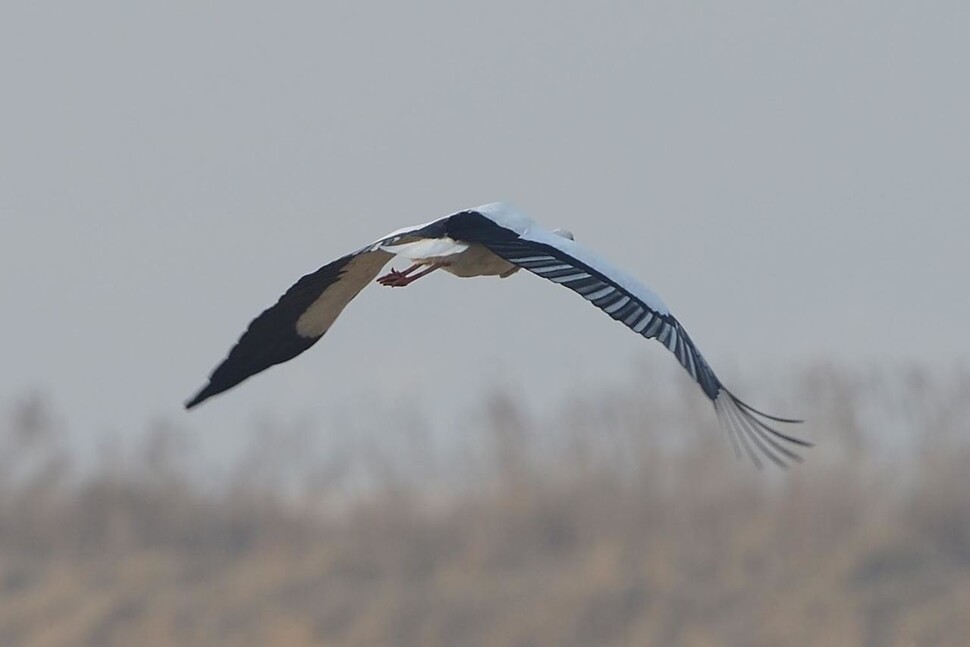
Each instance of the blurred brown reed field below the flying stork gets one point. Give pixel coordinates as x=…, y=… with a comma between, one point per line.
x=623, y=520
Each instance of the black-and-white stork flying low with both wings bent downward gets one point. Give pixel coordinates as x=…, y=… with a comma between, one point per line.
x=490, y=240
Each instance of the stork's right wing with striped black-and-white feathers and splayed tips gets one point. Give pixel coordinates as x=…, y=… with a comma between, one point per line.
x=626, y=300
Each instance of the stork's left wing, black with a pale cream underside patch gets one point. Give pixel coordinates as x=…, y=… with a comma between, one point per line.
x=297, y=321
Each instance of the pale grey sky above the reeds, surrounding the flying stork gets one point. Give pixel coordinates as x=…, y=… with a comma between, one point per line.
x=792, y=178
